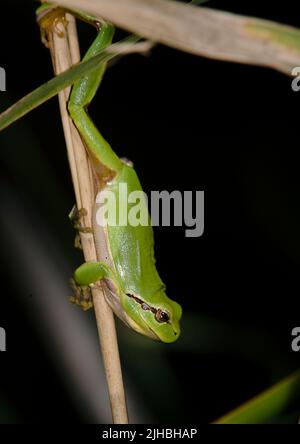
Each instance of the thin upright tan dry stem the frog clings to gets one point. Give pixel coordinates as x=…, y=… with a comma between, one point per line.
x=65, y=52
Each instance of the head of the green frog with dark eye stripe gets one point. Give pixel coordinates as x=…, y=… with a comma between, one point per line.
x=158, y=320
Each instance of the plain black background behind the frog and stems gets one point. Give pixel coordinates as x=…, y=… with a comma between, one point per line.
x=189, y=124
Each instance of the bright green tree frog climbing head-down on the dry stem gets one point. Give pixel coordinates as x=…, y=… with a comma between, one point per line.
x=127, y=268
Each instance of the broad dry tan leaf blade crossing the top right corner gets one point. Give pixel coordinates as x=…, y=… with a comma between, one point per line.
x=202, y=31
